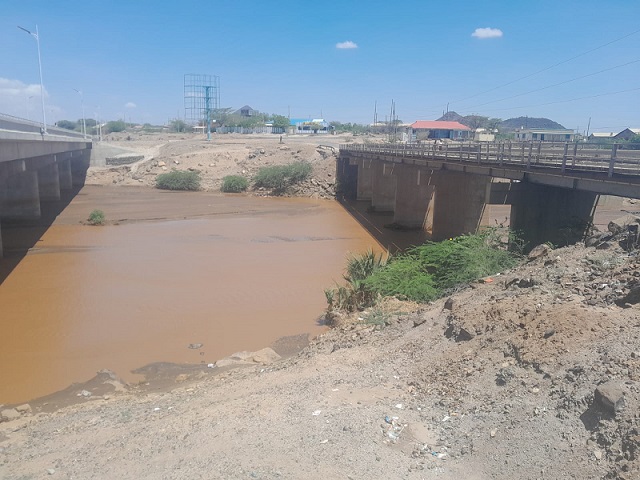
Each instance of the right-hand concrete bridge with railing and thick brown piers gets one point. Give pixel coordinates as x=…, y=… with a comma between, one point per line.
x=552, y=189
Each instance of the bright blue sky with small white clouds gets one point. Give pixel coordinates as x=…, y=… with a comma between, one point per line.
x=129, y=58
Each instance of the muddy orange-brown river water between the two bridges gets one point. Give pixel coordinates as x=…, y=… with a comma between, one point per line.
x=169, y=270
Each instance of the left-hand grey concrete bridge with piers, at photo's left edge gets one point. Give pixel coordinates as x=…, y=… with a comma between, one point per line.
x=35, y=168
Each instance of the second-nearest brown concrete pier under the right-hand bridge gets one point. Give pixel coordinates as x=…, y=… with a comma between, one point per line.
x=459, y=203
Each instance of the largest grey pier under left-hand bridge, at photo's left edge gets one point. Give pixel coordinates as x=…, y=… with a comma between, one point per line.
x=20, y=196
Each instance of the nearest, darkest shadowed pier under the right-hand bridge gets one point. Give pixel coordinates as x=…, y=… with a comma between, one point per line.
x=558, y=215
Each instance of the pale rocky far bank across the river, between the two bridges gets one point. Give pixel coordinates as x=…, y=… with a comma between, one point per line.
x=231, y=154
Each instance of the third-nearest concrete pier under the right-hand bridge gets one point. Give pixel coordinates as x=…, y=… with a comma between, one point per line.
x=414, y=191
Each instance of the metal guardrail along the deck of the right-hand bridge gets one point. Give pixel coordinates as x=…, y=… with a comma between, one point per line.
x=566, y=157
